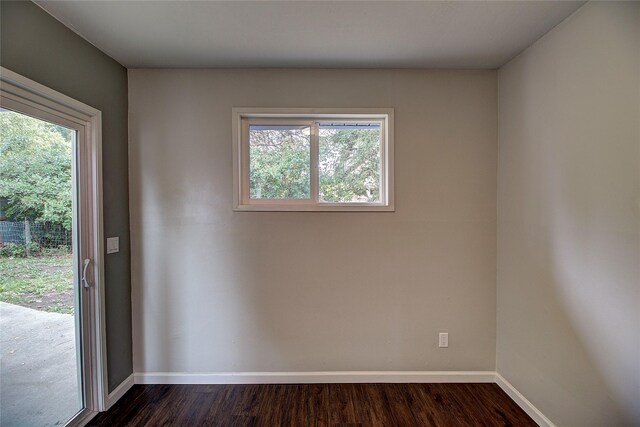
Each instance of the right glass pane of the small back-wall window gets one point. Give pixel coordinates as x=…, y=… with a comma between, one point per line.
x=349, y=162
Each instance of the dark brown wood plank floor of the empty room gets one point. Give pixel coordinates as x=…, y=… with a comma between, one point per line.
x=315, y=405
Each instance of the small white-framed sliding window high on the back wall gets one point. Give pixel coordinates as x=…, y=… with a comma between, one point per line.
x=313, y=159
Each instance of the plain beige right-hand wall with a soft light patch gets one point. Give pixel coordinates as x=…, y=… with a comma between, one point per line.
x=569, y=219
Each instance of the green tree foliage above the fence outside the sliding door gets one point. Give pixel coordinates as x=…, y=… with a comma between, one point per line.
x=35, y=169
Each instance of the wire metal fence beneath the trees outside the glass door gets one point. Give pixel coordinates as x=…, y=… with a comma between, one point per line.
x=46, y=235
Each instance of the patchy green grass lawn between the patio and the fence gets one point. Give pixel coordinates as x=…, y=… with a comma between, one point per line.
x=43, y=283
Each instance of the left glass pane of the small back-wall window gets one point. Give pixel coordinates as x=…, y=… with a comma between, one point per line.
x=279, y=161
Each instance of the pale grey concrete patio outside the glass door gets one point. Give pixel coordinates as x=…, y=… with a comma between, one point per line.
x=38, y=377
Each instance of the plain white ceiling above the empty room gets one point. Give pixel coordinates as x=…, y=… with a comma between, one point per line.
x=342, y=34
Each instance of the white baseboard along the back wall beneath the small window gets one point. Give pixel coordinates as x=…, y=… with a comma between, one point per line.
x=316, y=377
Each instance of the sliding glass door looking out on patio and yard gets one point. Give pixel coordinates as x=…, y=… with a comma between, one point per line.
x=44, y=306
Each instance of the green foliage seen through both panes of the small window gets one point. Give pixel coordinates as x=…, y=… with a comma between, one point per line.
x=349, y=163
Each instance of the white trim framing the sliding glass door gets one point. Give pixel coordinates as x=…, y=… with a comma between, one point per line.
x=19, y=89
